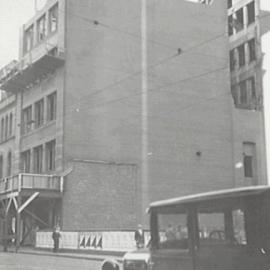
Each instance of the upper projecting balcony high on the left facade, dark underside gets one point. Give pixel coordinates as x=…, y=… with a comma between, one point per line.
x=34, y=66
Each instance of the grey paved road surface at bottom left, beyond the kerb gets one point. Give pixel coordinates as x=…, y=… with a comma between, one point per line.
x=18, y=261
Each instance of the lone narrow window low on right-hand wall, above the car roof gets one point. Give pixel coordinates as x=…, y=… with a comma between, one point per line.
x=249, y=159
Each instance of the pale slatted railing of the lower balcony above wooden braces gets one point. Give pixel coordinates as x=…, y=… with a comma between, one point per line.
x=24, y=181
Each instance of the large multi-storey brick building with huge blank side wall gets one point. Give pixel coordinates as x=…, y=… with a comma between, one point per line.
x=114, y=104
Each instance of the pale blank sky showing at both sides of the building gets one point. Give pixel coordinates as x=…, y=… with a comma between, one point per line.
x=14, y=13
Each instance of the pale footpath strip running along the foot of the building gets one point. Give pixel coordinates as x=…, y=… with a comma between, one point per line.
x=93, y=255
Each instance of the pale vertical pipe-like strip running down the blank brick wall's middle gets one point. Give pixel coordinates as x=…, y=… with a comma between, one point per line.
x=144, y=82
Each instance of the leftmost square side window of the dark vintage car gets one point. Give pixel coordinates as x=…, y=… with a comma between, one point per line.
x=173, y=233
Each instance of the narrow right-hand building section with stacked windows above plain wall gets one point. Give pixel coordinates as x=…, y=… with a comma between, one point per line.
x=244, y=29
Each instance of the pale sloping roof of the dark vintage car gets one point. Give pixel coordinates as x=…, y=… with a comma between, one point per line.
x=209, y=196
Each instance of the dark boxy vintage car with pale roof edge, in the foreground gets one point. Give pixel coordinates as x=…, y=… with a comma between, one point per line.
x=222, y=230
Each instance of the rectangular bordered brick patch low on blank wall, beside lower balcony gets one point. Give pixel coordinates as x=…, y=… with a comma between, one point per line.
x=100, y=196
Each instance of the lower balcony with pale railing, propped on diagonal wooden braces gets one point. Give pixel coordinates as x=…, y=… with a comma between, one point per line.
x=25, y=184
